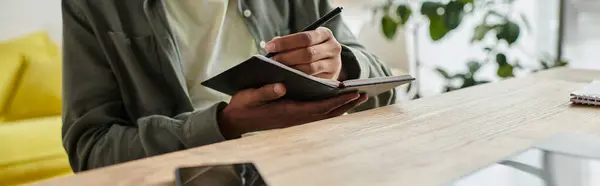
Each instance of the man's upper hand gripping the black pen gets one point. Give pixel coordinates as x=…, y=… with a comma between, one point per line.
x=313, y=52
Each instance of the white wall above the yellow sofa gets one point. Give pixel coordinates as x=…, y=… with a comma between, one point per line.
x=20, y=17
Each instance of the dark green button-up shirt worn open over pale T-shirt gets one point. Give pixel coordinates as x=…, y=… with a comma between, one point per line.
x=125, y=96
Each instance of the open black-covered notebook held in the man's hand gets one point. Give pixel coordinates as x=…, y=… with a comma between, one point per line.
x=260, y=70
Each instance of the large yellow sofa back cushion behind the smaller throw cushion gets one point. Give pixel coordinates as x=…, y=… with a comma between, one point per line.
x=39, y=91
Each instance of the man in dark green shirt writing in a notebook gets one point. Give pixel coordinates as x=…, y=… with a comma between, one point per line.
x=132, y=73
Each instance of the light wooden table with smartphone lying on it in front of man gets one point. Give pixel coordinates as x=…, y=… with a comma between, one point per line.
x=422, y=142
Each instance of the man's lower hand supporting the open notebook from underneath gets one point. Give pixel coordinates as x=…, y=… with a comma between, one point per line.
x=254, y=110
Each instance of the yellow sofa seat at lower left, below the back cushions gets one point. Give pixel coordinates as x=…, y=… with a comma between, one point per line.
x=32, y=151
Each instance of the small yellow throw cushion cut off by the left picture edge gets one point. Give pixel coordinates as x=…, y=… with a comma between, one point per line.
x=11, y=68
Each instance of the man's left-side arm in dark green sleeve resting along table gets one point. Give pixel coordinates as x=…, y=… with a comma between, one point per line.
x=97, y=130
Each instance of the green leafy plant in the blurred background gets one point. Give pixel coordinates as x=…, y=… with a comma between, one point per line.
x=496, y=32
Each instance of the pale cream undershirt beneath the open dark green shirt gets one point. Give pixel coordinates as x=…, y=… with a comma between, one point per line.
x=212, y=38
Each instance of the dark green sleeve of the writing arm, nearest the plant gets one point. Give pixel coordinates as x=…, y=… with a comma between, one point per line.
x=356, y=62
